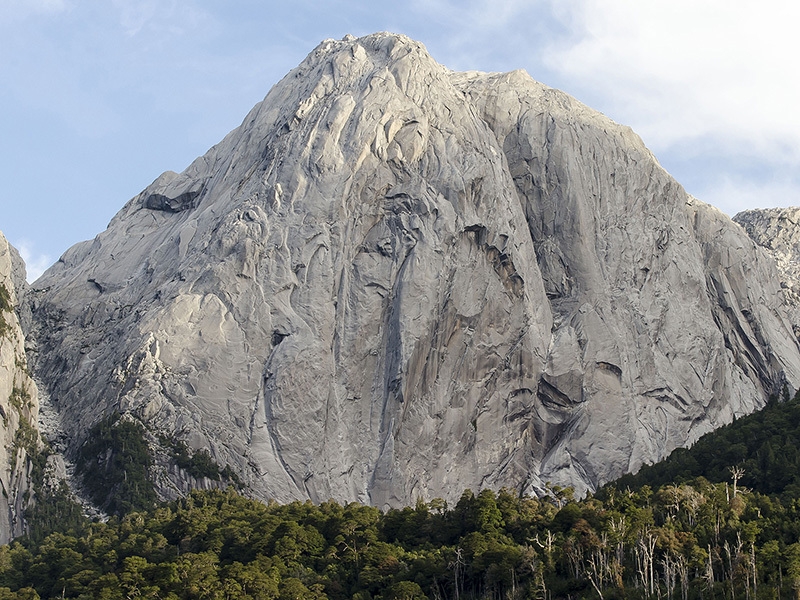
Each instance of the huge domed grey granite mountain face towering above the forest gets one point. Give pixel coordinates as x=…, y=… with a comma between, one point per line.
x=395, y=281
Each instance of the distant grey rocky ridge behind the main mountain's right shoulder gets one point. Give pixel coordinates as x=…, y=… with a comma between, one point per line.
x=777, y=230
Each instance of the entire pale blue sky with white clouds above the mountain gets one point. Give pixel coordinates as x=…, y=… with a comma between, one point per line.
x=98, y=97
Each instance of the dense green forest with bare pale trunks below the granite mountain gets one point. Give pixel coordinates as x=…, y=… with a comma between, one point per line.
x=718, y=521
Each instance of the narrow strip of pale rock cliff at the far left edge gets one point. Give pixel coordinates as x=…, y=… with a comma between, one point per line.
x=19, y=437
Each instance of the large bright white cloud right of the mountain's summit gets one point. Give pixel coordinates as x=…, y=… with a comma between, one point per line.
x=681, y=69
